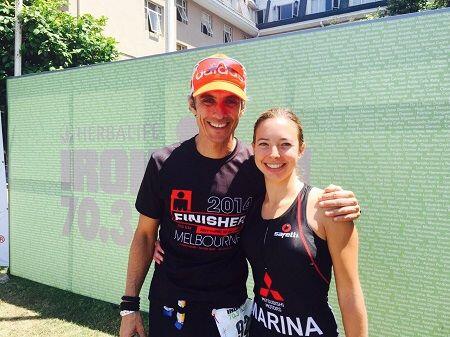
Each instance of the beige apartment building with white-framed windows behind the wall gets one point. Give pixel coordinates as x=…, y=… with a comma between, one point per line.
x=140, y=26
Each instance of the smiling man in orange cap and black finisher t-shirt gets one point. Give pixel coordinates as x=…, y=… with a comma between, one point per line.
x=197, y=194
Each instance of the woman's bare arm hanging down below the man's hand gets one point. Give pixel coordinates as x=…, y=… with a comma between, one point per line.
x=342, y=239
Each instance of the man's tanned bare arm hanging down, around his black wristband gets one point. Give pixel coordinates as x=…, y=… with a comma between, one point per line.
x=140, y=257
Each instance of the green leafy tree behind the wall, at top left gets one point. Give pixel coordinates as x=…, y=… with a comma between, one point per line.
x=51, y=39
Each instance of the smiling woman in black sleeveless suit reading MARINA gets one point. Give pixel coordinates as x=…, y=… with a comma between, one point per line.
x=291, y=245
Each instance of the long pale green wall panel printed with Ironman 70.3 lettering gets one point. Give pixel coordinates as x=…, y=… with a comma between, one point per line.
x=373, y=98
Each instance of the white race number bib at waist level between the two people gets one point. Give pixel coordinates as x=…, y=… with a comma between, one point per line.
x=234, y=322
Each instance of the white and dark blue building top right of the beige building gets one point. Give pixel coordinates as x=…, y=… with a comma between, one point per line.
x=279, y=16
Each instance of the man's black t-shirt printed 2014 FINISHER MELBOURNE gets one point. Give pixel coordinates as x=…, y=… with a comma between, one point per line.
x=201, y=204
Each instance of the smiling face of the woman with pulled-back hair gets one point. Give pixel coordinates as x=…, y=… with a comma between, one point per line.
x=277, y=148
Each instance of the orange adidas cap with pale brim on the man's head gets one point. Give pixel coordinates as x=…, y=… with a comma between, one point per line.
x=219, y=72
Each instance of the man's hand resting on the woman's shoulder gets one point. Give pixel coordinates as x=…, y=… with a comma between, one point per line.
x=339, y=204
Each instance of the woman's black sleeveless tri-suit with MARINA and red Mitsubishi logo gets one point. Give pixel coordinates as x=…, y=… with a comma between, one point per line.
x=291, y=269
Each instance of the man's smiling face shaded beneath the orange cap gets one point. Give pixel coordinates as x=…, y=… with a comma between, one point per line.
x=218, y=114
